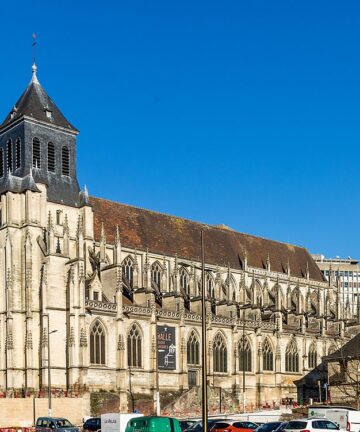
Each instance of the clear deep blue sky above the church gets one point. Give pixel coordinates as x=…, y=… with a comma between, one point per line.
x=238, y=112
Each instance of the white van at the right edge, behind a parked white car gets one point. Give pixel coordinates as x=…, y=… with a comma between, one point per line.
x=348, y=419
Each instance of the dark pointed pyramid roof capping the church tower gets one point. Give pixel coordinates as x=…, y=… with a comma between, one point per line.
x=34, y=102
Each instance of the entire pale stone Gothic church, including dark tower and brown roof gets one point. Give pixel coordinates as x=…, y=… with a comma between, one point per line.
x=92, y=281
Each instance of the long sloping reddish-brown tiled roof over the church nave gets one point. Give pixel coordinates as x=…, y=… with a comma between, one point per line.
x=169, y=235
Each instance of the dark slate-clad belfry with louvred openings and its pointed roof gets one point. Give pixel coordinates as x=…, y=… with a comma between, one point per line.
x=38, y=145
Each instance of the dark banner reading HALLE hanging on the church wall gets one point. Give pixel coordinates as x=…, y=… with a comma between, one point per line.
x=166, y=345
